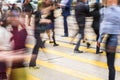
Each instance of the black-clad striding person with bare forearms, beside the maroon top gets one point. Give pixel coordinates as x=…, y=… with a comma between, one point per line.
x=40, y=27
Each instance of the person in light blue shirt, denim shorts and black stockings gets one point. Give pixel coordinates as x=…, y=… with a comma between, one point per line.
x=110, y=26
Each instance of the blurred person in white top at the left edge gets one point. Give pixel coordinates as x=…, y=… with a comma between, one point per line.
x=5, y=46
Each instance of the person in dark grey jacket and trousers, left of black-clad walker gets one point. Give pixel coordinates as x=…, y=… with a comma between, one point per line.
x=81, y=11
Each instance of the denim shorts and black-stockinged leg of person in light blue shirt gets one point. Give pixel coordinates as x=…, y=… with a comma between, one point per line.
x=111, y=45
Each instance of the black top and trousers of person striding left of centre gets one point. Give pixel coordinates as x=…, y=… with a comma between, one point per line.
x=39, y=43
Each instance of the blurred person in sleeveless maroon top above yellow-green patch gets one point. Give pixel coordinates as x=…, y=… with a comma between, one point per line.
x=19, y=33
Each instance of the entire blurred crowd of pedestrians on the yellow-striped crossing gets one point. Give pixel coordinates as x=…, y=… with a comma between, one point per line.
x=13, y=33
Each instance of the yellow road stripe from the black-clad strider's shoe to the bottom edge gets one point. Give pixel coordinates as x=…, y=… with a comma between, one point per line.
x=67, y=71
